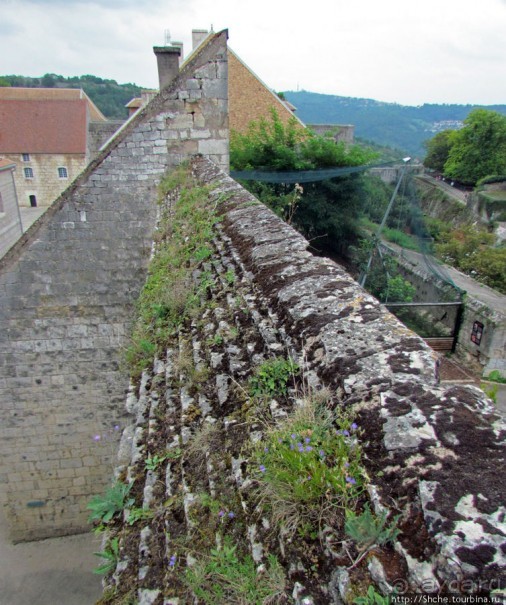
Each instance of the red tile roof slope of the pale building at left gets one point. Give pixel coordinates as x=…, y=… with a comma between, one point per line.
x=38, y=126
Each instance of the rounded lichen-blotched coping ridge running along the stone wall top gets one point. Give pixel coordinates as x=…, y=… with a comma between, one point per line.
x=436, y=450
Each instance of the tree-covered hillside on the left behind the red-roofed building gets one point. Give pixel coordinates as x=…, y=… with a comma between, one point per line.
x=109, y=96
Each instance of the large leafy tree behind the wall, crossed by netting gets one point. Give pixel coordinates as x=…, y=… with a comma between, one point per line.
x=328, y=210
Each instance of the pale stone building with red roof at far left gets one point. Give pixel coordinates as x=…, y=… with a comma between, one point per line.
x=45, y=132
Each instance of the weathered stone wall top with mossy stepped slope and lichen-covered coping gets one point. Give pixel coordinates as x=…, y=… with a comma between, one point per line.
x=433, y=454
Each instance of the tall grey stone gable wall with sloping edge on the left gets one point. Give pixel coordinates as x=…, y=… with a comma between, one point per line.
x=66, y=295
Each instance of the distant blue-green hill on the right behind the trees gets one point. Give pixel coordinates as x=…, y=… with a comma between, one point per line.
x=400, y=126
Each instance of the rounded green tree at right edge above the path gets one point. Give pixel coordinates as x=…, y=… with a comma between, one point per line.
x=479, y=149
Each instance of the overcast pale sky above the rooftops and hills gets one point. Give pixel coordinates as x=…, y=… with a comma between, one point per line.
x=431, y=51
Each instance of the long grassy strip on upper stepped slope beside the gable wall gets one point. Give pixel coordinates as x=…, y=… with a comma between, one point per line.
x=170, y=295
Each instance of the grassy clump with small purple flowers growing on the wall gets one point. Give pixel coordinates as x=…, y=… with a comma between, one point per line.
x=308, y=468
